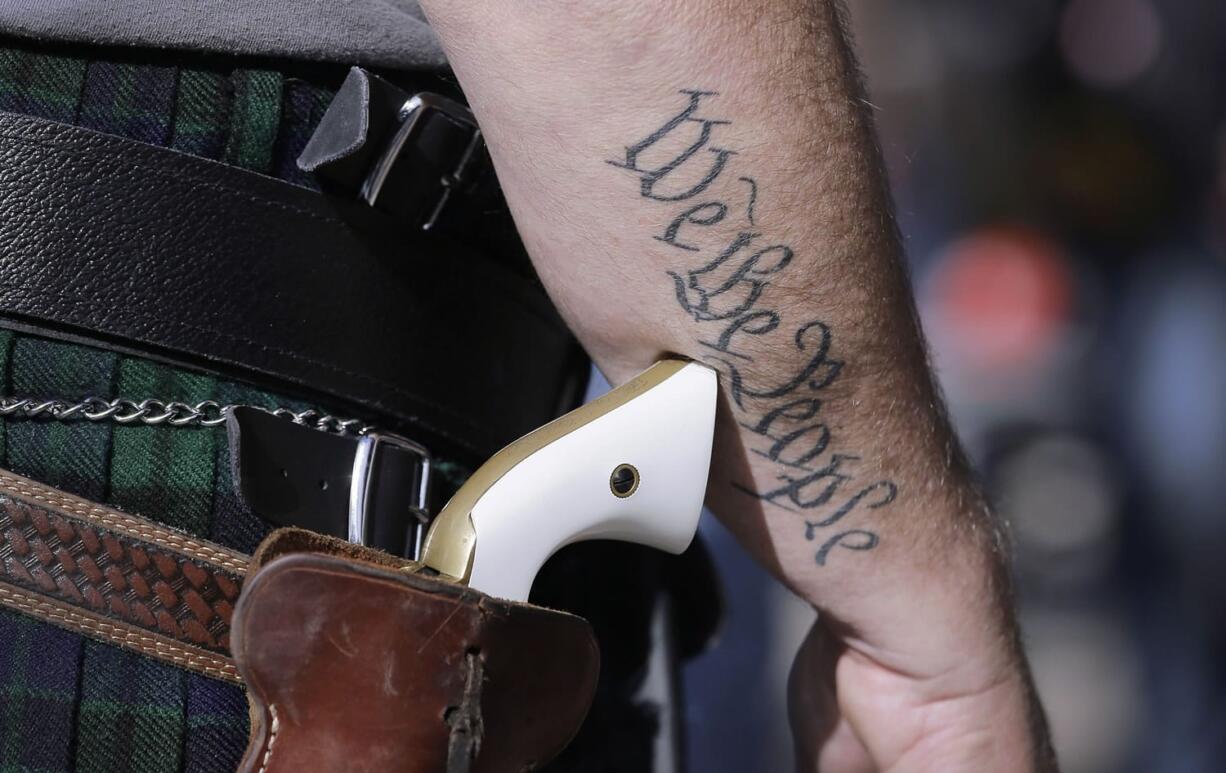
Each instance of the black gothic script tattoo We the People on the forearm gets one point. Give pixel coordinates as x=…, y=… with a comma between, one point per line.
x=722, y=284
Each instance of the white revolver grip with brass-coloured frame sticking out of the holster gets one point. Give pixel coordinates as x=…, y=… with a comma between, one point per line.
x=631, y=466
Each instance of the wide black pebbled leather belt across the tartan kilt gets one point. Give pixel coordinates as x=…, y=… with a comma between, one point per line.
x=209, y=266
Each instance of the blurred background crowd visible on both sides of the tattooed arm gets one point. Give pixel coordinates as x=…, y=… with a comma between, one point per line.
x=1060, y=173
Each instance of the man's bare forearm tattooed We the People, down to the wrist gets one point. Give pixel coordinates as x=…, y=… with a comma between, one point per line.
x=701, y=178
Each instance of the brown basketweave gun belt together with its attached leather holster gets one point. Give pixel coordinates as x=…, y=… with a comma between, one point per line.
x=354, y=660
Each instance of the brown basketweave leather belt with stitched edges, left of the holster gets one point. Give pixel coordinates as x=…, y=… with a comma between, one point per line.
x=116, y=578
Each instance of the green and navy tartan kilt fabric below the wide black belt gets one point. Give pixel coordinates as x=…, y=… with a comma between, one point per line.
x=70, y=704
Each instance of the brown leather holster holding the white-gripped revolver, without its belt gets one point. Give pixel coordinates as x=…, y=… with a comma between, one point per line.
x=355, y=661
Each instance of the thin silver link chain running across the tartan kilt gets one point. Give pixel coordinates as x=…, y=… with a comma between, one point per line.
x=175, y=413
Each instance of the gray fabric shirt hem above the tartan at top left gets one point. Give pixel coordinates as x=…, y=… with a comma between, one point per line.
x=384, y=34
